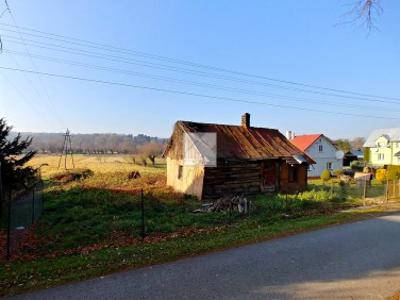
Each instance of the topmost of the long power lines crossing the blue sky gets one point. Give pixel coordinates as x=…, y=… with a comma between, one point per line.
x=193, y=64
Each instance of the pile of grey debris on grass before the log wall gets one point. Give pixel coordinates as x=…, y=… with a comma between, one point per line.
x=227, y=203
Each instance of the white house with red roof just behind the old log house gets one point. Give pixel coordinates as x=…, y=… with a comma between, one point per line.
x=322, y=150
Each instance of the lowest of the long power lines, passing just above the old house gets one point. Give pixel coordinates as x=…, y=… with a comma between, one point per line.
x=194, y=94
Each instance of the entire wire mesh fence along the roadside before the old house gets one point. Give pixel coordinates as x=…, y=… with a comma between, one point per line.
x=80, y=220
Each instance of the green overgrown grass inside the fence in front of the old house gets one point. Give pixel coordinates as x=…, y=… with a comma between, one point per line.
x=78, y=216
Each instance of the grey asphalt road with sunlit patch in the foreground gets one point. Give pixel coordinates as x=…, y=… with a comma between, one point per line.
x=358, y=261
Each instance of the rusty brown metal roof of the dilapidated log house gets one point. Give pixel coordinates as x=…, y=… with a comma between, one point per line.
x=239, y=142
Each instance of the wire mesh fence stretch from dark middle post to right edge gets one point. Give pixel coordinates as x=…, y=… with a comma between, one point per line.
x=154, y=216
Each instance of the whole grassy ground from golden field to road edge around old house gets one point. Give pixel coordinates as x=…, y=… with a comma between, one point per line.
x=91, y=226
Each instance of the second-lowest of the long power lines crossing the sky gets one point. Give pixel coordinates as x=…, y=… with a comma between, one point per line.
x=192, y=83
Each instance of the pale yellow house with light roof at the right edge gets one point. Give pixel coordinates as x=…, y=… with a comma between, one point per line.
x=383, y=147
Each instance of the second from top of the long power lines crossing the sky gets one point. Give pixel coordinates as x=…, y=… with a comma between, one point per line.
x=182, y=70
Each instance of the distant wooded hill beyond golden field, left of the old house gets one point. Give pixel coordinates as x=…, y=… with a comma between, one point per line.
x=90, y=143
